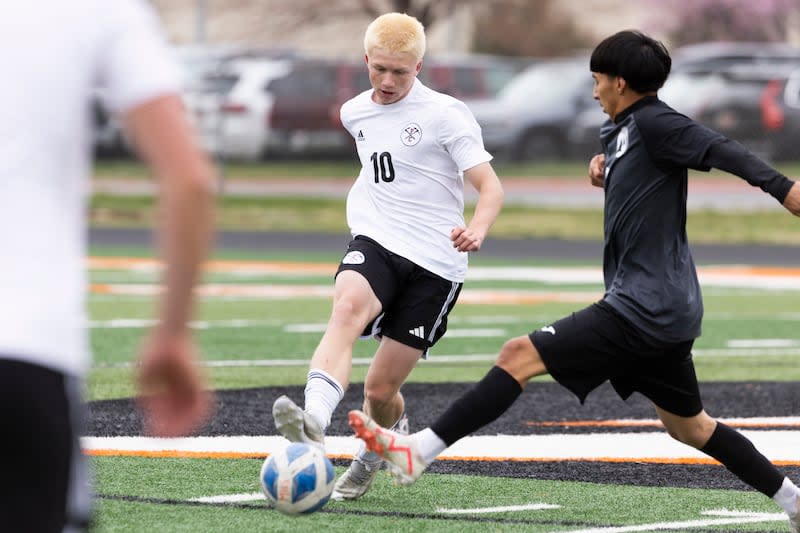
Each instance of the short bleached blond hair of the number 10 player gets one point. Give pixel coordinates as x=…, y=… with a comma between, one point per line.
x=396, y=33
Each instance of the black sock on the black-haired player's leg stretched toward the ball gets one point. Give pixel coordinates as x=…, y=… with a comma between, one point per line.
x=483, y=403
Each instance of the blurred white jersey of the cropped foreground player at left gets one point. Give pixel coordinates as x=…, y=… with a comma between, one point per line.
x=52, y=54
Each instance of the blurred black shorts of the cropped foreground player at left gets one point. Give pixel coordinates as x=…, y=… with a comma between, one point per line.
x=45, y=481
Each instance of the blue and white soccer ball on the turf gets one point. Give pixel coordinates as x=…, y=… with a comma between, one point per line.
x=297, y=479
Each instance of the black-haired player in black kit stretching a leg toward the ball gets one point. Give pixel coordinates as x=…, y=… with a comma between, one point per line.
x=640, y=335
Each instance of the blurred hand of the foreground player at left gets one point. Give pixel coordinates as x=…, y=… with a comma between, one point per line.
x=172, y=387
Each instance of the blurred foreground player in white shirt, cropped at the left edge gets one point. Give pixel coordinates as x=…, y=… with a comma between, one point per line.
x=53, y=54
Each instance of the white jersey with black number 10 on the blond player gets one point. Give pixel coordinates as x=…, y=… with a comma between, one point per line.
x=409, y=194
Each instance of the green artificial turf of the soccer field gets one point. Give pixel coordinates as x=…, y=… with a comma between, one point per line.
x=260, y=309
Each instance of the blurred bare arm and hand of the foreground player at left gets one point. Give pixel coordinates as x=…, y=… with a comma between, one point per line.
x=172, y=387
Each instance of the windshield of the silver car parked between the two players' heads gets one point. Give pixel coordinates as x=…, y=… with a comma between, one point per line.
x=546, y=85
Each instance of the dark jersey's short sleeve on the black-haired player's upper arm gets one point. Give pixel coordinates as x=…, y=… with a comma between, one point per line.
x=674, y=139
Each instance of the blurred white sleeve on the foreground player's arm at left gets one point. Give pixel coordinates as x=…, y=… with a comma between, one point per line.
x=136, y=65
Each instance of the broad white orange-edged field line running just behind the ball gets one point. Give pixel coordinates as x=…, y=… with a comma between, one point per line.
x=777, y=445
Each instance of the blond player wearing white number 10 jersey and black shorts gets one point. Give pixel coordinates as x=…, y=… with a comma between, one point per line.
x=404, y=268
